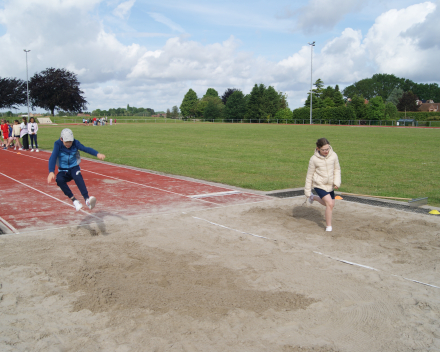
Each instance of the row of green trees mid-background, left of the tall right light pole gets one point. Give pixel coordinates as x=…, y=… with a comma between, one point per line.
x=262, y=103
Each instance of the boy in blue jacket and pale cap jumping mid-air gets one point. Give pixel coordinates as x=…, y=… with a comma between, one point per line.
x=65, y=154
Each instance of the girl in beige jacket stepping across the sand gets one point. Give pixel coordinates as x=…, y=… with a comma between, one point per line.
x=324, y=175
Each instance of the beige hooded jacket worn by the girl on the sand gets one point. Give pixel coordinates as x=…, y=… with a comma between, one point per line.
x=323, y=172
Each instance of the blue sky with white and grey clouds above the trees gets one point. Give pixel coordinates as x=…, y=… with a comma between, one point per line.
x=149, y=53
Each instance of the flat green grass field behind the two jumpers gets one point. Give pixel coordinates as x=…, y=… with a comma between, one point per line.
x=395, y=162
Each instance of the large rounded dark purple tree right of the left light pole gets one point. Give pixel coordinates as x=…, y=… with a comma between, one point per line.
x=56, y=89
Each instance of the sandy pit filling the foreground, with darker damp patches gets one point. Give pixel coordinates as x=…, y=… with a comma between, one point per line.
x=176, y=282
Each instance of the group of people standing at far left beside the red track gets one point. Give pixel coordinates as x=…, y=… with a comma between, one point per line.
x=12, y=133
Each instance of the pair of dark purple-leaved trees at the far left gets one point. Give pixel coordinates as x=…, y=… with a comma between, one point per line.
x=50, y=89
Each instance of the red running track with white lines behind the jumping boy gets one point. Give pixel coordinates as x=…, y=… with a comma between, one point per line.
x=29, y=203
